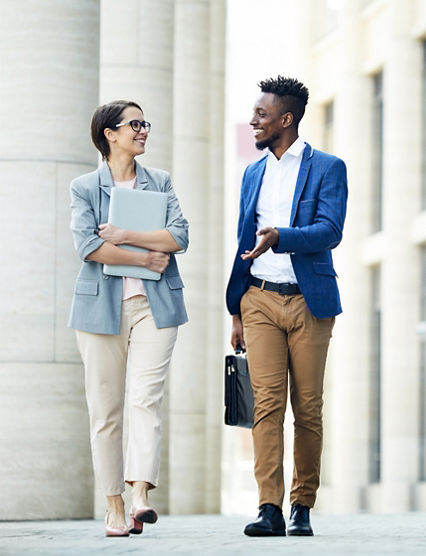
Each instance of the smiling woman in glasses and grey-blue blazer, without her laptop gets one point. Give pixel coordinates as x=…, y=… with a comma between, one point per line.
x=125, y=322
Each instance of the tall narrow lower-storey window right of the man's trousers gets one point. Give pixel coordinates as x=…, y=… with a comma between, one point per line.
x=375, y=379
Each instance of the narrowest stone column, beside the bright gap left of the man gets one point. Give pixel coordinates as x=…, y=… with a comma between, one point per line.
x=215, y=307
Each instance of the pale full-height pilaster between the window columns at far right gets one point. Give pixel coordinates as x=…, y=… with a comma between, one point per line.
x=400, y=276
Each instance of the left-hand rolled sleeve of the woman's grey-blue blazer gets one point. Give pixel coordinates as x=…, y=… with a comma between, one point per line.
x=83, y=222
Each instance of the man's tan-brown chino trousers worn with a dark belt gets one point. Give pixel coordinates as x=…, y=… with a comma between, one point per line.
x=285, y=343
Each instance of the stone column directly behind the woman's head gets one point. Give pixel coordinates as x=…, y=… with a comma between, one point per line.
x=137, y=65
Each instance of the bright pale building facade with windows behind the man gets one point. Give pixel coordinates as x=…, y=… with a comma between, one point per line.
x=364, y=62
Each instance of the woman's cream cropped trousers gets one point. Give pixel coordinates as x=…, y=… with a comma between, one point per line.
x=145, y=351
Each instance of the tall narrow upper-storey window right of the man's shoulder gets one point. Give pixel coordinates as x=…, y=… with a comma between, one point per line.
x=377, y=173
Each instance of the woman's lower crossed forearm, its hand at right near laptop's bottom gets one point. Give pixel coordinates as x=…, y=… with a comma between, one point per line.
x=108, y=253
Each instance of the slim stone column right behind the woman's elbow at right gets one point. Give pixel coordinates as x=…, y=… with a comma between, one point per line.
x=191, y=176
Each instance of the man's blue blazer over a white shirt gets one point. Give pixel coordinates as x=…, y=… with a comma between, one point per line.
x=316, y=224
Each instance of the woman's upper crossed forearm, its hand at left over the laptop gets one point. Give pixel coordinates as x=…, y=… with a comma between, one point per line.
x=157, y=240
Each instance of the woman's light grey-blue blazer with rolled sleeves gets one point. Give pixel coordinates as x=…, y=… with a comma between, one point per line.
x=96, y=305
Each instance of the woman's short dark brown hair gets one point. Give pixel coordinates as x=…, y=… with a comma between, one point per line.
x=107, y=116
